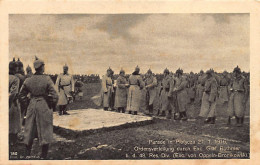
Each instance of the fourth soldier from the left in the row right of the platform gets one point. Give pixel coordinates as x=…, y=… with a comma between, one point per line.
x=150, y=85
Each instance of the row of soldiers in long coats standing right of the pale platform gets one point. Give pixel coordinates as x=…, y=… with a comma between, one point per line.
x=176, y=91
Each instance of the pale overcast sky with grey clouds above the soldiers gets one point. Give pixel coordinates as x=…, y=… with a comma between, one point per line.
x=91, y=43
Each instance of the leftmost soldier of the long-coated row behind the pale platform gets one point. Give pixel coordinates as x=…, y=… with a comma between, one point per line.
x=107, y=89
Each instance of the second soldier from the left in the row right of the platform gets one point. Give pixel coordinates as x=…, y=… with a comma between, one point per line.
x=121, y=92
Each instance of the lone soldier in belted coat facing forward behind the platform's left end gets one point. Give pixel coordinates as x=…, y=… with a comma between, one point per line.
x=65, y=86
